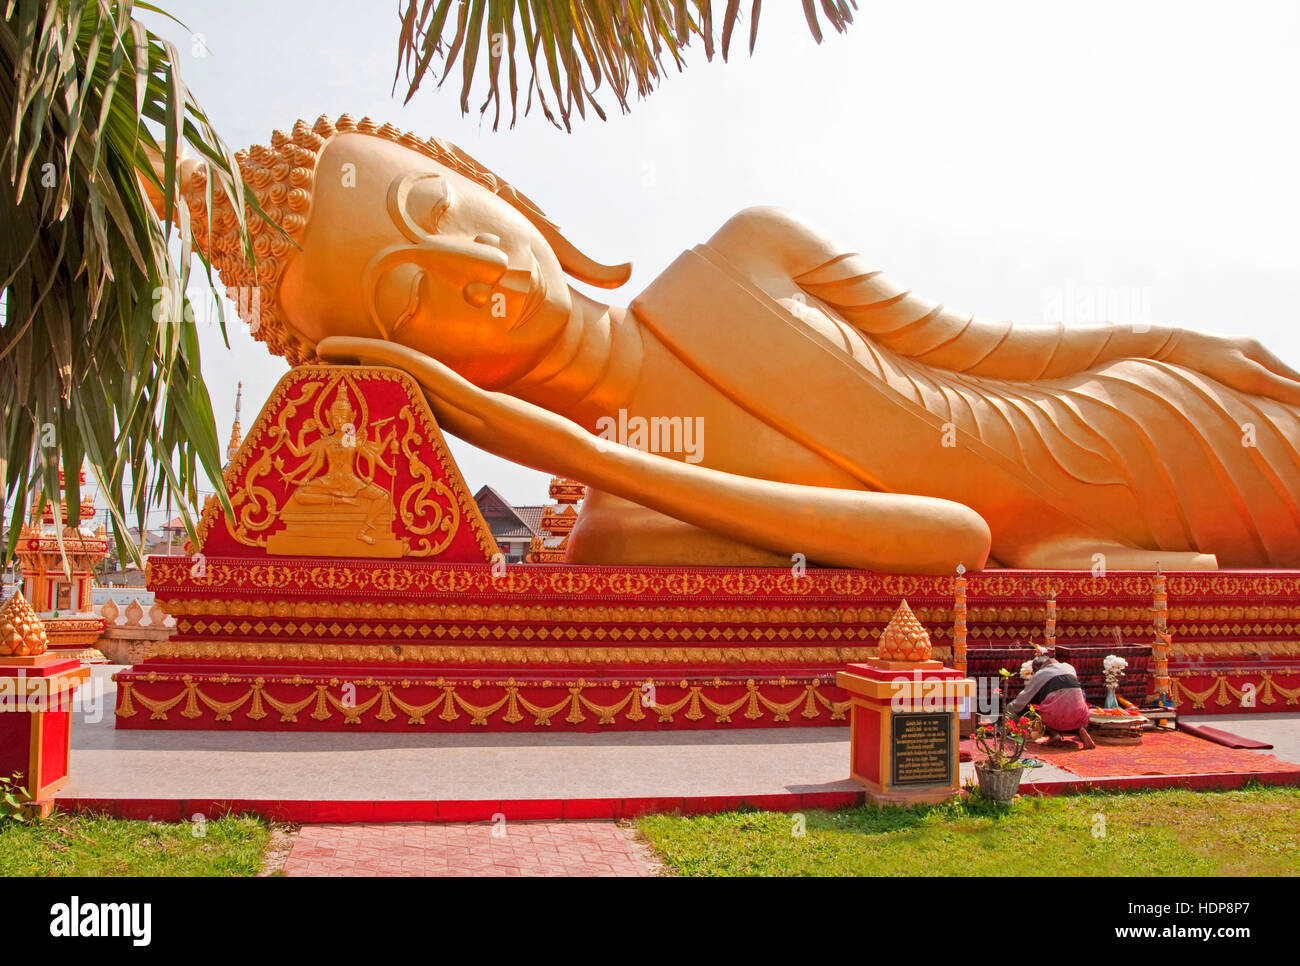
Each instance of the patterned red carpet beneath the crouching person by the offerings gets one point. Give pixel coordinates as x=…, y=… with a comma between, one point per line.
x=1160, y=753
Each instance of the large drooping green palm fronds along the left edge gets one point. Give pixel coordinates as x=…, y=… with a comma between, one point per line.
x=99, y=357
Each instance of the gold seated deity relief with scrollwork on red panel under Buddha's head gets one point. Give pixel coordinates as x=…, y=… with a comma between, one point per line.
x=331, y=480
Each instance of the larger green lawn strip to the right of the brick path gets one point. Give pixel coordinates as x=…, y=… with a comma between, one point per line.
x=1178, y=834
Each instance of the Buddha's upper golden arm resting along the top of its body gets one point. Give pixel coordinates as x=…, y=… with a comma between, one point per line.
x=775, y=248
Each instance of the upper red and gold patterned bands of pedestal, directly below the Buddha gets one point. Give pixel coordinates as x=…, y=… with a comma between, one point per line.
x=297, y=599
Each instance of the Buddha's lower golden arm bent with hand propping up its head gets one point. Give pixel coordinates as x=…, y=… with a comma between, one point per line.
x=835, y=527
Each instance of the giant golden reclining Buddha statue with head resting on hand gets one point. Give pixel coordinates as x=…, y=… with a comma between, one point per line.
x=843, y=417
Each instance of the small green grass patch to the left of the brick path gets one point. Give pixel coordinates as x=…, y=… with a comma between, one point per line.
x=76, y=844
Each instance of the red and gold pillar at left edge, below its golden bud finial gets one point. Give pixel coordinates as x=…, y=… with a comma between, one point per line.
x=36, y=721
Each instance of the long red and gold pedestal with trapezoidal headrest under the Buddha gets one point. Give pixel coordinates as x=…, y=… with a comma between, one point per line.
x=358, y=587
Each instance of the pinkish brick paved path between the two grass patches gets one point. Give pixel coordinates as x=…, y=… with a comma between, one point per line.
x=518, y=848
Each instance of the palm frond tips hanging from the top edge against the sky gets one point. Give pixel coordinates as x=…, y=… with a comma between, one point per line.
x=573, y=47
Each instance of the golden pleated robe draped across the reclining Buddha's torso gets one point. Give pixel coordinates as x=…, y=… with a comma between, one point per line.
x=1136, y=453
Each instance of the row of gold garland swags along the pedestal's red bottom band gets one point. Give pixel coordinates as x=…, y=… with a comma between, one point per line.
x=632, y=707
